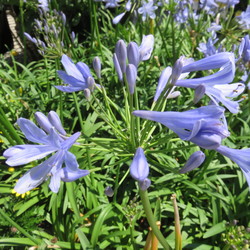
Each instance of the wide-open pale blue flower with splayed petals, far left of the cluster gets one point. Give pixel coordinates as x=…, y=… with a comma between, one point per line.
x=51, y=141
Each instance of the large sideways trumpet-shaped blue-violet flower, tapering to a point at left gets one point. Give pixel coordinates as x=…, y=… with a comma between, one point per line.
x=202, y=126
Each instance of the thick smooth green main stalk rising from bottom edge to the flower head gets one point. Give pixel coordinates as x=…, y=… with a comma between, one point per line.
x=151, y=219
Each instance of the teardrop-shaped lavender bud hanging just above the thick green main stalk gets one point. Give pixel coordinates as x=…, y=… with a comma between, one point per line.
x=139, y=168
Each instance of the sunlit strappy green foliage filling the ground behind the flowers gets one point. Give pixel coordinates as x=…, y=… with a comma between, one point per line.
x=80, y=215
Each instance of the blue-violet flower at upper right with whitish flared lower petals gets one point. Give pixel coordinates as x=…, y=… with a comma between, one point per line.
x=217, y=87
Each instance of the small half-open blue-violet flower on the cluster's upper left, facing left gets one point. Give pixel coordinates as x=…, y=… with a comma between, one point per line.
x=76, y=75
